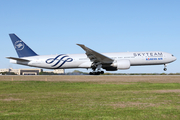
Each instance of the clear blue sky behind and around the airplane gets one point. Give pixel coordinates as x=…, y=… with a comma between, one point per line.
x=56, y=26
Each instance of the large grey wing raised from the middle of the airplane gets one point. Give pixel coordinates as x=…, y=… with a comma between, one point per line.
x=96, y=57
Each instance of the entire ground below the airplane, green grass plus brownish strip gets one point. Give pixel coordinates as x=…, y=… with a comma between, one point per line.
x=90, y=97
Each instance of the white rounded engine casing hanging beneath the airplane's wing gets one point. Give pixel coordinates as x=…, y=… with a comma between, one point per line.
x=122, y=64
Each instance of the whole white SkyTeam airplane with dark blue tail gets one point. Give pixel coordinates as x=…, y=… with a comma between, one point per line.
x=91, y=59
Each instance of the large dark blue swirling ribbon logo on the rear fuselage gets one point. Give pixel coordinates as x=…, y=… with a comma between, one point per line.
x=59, y=60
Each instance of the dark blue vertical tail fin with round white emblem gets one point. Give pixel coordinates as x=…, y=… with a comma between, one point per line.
x=21, y=48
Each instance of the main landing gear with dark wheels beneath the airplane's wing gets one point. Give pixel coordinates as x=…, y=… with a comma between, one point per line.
x=98, y=67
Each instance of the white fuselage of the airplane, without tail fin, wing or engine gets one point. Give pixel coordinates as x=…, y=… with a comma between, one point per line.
x=65, y=61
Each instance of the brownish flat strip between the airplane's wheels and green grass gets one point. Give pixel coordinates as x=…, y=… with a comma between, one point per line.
x=106, y=78
